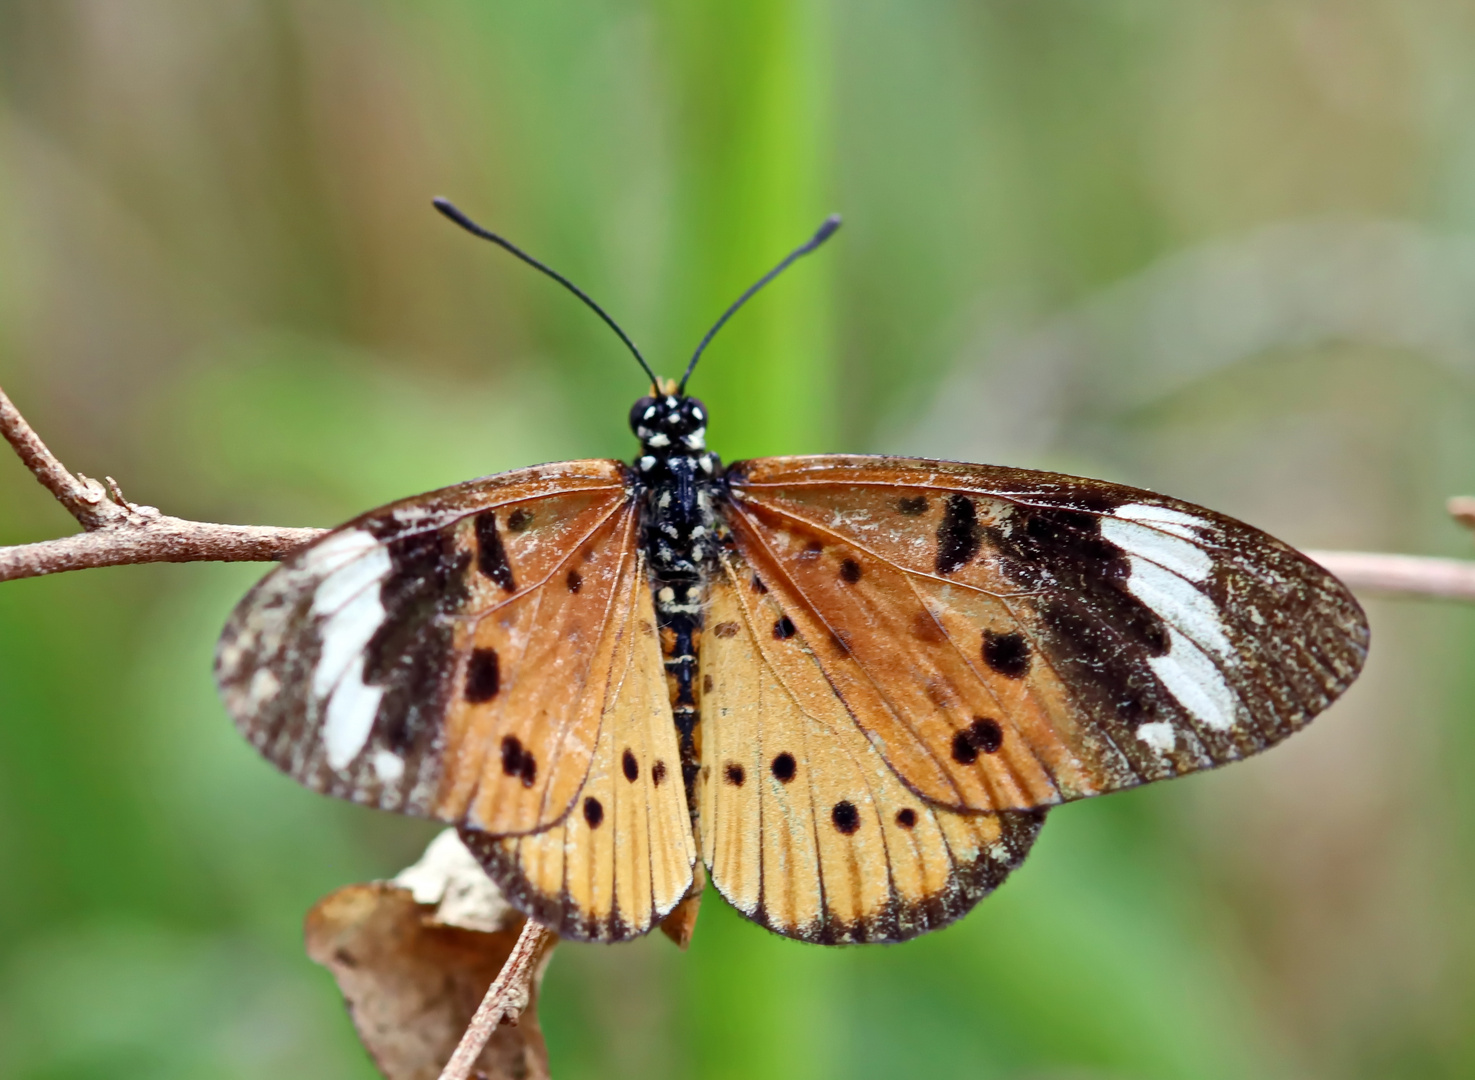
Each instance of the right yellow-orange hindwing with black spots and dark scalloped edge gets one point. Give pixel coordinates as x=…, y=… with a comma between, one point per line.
x=805, y=827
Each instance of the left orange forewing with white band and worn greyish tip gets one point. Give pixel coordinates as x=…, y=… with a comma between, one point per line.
x=392, y=662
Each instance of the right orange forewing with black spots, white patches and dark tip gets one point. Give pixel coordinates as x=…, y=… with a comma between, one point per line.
x=1013, y=640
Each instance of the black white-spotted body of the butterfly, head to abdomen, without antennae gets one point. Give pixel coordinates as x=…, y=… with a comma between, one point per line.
x=678, y=483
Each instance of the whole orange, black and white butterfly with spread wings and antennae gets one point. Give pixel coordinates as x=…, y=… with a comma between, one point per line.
x=847, y=688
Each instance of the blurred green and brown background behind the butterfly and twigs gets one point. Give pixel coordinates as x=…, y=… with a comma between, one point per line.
x=1221, y=250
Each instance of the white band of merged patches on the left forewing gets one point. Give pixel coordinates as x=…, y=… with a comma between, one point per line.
x=355, y=564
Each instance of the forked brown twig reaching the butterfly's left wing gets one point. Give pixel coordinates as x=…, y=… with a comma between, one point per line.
x=119, y=532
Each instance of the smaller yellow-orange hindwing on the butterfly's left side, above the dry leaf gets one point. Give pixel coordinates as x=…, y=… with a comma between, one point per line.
x=622, y=859
